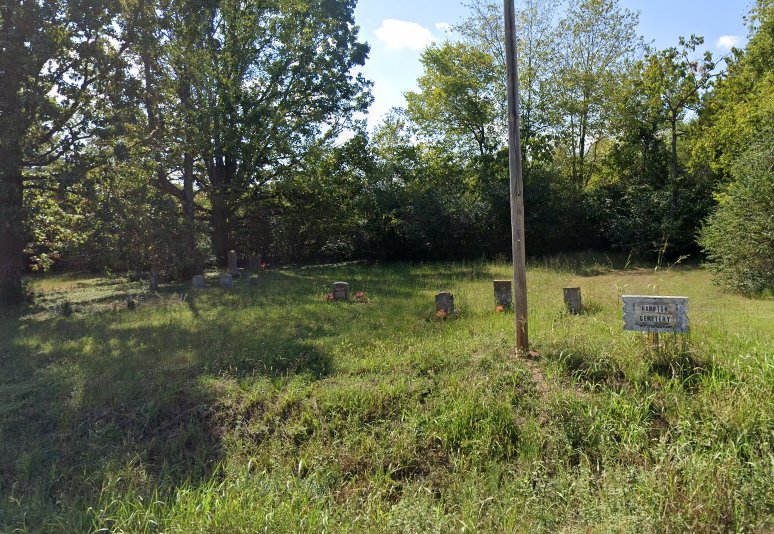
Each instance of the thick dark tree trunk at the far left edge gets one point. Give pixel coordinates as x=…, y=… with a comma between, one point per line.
x=11, y=236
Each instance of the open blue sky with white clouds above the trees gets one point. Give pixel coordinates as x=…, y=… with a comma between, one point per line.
x=397, y=30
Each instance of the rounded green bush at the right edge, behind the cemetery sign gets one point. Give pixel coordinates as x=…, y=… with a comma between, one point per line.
x=739, y=237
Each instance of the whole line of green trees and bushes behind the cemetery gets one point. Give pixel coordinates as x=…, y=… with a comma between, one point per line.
x=159, y=134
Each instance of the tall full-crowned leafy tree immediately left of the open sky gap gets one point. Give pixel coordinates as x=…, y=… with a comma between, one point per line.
x=276, y=80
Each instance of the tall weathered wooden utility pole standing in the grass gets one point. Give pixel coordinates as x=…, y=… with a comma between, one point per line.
x=517, y=183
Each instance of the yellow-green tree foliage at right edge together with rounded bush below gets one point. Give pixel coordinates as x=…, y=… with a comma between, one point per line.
x=736, y=139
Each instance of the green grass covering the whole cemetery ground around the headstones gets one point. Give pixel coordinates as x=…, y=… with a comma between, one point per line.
x=265, y=408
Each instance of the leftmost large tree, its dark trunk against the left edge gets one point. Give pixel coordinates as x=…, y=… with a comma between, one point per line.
x=59, y=61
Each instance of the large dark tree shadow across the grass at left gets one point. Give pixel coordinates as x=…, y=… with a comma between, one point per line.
x=84, y=397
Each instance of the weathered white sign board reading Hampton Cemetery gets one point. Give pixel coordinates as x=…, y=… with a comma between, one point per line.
x=655, y=314
